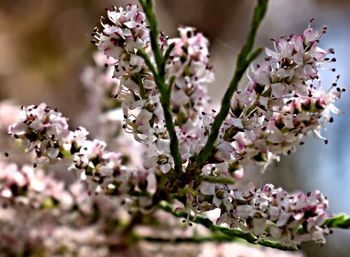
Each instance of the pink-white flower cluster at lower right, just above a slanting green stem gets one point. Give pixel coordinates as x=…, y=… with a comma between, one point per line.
x=271, y=213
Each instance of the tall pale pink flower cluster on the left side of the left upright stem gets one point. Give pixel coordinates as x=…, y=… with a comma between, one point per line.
x=137, y=90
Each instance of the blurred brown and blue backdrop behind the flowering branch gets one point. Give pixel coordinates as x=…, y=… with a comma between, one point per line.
x=45, y=44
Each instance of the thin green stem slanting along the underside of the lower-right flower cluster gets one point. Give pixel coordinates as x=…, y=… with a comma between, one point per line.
x=233, y=233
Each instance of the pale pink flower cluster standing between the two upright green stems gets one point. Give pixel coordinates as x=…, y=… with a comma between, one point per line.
x=189, y=64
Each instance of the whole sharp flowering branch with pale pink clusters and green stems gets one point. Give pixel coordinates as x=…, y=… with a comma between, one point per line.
x=161, y=83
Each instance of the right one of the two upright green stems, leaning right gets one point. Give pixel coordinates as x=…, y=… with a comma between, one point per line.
x=245, y=57
